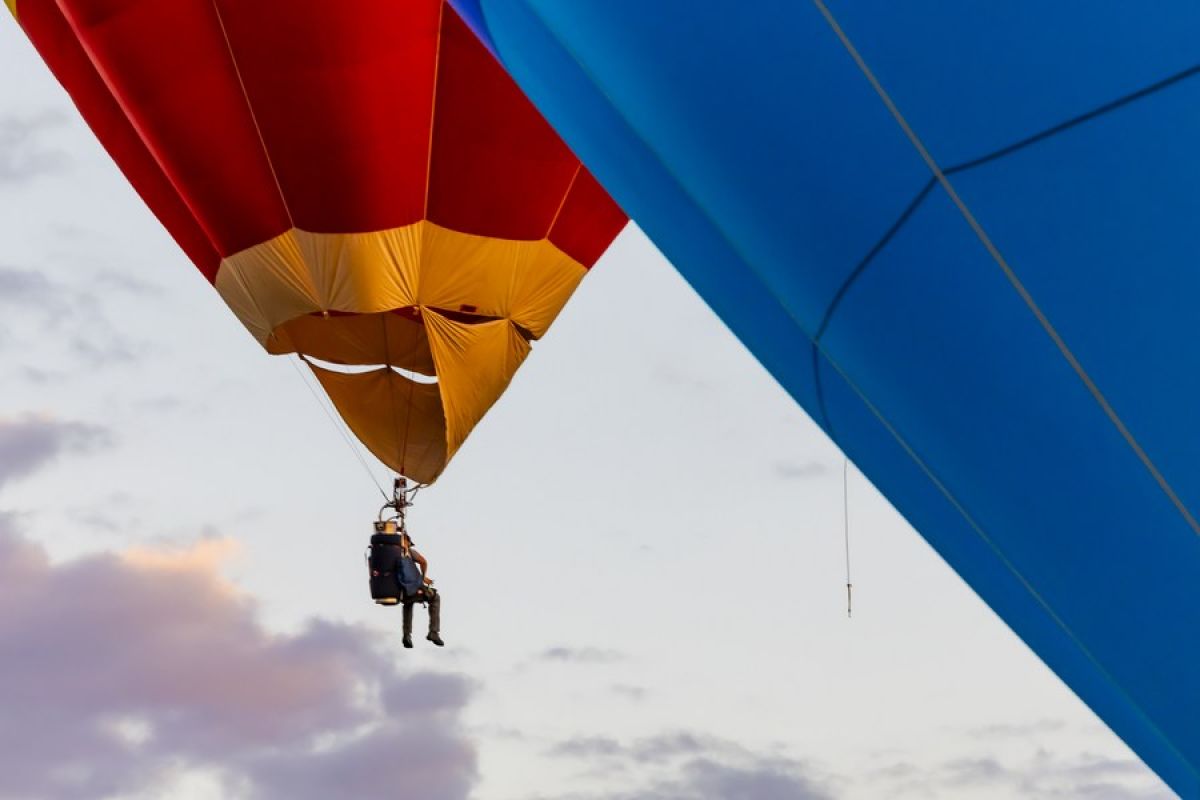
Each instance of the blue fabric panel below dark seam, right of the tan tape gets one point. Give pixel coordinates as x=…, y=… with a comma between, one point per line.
x=1100, y=225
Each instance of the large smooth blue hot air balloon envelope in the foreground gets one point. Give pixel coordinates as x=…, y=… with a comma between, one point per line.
x=963, y=237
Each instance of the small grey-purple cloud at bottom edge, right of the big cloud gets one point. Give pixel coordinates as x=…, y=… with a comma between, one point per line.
x=692, y=767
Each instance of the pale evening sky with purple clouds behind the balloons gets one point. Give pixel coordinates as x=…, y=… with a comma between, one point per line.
x=641, y=551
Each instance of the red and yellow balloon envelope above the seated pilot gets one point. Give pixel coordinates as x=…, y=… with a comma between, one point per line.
x=359, y=181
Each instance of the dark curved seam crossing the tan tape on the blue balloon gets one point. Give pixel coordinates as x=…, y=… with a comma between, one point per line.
x=1125, y=100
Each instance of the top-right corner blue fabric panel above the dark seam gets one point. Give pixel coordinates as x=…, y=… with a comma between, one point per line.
x=975, y=77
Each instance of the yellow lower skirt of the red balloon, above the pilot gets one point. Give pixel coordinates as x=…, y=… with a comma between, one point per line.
x=421, y=298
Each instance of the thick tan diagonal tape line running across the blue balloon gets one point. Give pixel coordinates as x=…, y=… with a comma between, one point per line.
x=986, y=240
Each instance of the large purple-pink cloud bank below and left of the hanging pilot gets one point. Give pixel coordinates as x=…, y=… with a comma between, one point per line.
x=124, y=672
